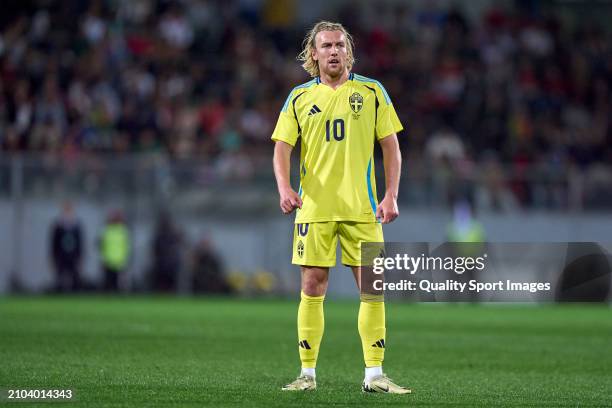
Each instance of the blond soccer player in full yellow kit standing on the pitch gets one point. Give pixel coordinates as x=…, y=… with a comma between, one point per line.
x=338, y=115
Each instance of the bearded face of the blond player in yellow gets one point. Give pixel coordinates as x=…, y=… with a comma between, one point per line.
x=330, y=53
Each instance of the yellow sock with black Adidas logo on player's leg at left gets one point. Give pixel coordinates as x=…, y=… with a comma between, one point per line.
x=310, y=328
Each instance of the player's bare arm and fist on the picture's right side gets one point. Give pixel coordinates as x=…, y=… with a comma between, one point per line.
x=387, y=210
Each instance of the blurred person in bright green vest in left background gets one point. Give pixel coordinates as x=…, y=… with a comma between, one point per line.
x=114, y=250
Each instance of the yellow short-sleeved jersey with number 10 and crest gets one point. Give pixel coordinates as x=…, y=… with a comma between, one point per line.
x=337, y=130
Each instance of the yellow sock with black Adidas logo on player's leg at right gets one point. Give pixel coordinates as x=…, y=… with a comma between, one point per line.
x=372, y=330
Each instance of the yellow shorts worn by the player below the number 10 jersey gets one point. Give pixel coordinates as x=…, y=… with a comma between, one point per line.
x=315, y=244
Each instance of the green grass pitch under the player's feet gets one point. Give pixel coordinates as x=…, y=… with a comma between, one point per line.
x=194, y=352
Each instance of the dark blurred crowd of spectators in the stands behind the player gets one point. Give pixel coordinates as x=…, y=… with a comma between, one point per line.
x=509, y=96
